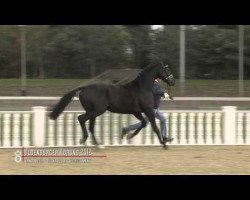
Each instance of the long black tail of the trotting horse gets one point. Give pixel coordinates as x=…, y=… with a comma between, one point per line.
x=61, y=105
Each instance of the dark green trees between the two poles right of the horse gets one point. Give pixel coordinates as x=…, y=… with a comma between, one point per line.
x=212, y=53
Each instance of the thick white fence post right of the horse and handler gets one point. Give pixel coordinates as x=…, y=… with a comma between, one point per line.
x=229, y=124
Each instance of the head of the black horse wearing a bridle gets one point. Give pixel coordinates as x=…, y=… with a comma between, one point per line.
x=165, y=74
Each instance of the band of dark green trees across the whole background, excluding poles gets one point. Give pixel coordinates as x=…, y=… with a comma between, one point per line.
x=83, y=51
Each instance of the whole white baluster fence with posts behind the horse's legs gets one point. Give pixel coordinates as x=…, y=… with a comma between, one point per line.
x=194, y=127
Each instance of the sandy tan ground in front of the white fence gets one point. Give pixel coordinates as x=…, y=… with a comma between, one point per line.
x=180, y=160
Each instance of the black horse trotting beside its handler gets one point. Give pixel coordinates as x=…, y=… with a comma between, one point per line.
x=135, y=97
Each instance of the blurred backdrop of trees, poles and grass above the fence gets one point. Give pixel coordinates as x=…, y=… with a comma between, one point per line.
x=49, y=60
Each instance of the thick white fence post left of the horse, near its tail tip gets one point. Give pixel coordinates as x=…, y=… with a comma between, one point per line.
x=39, y=125
